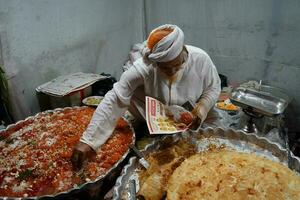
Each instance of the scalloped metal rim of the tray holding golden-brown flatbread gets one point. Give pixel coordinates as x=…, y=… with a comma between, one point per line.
x=282, y=154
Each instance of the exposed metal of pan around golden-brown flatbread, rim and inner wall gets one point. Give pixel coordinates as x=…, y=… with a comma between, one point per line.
x=237, y=140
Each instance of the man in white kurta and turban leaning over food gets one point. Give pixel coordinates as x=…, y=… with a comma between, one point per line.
x=169, y=71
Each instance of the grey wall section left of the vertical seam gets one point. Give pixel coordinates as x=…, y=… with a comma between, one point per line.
x=42, y=39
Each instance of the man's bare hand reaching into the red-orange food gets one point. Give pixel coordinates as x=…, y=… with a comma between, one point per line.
x=81, y=153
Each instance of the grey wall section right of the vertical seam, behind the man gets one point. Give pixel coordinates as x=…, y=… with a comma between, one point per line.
x=246, y=39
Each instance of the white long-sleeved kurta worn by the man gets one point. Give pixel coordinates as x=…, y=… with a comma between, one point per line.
x=197, y=81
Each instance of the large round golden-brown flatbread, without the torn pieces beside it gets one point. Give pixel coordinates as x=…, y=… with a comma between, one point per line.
x=225, y=174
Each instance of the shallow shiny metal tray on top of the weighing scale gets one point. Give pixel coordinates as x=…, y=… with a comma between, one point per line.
x=261, y=102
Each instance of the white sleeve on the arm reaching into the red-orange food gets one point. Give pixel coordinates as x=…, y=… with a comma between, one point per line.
x=112, y=107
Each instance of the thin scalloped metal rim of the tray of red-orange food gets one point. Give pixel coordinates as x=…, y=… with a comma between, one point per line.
x=82, y=186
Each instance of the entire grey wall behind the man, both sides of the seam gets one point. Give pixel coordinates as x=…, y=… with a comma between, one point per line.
x=247, y=40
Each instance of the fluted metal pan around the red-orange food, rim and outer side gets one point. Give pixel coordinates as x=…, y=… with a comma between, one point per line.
x=90, y=189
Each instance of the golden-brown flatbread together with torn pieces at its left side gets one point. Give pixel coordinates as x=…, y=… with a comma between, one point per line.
x=218, y=174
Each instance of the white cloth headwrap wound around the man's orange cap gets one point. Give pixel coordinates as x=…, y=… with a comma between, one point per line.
x=167, y=48
